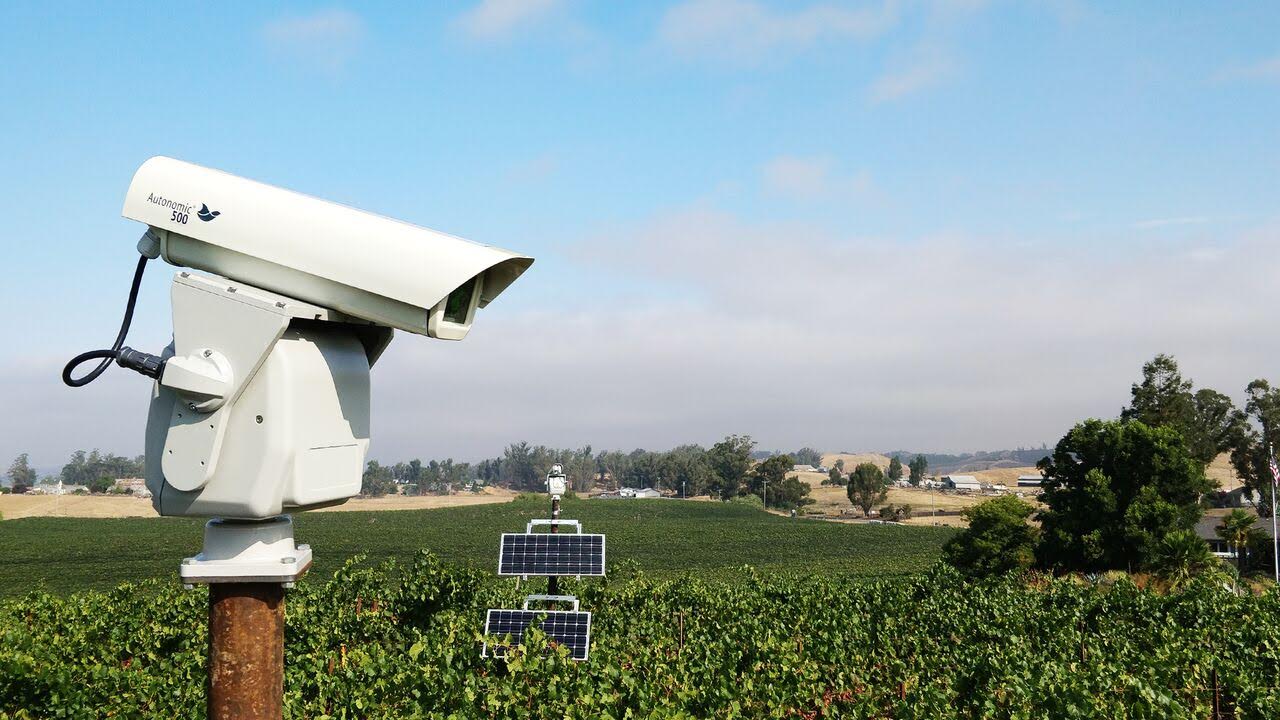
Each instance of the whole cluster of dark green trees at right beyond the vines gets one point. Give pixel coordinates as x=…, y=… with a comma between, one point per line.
x=1127, y=494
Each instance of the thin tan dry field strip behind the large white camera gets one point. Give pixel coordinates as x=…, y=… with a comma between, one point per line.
x=13, y=507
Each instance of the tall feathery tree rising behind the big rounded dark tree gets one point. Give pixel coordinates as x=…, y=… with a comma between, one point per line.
x=1209, y=421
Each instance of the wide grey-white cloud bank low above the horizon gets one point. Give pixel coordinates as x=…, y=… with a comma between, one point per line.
x=787, y=331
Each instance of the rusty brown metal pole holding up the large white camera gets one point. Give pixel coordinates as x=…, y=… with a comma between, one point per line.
x=246, y=651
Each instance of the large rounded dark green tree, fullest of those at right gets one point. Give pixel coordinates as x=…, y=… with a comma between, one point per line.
x=1114, y=491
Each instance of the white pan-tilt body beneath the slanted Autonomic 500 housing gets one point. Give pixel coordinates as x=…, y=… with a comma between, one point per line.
x=286, y=425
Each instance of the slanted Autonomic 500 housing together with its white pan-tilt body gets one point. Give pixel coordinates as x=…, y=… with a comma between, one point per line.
x=262, y=403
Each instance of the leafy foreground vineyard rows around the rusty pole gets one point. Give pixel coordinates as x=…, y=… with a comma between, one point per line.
x=404, y=641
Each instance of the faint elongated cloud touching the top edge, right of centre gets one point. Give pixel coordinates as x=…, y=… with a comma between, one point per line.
x=746, y=30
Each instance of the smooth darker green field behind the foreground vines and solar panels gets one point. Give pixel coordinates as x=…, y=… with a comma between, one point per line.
x=665, y=537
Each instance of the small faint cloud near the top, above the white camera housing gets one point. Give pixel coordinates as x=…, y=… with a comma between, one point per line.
x=327, y=39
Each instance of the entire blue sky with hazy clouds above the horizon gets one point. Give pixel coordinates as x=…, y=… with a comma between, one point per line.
x=939, y=226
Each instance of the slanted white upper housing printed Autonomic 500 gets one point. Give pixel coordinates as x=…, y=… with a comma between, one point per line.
x=362, y=265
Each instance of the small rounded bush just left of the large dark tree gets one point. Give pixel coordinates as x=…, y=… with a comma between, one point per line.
x=999, y=539
